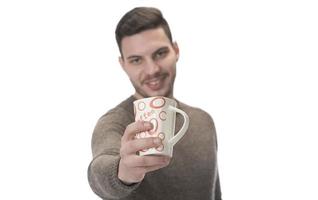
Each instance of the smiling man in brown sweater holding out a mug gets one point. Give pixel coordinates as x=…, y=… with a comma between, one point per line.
x=149, y=57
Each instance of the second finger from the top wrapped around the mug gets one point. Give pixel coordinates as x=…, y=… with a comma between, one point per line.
x=133, y=146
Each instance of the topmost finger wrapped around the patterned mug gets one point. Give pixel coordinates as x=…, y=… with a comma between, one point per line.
x=134, y=128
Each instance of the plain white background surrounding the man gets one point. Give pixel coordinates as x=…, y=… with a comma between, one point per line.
x=250, y=64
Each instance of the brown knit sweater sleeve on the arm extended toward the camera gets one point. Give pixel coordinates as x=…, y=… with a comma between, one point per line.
x=103, y=169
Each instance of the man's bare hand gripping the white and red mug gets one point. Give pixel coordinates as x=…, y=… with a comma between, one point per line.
x=133, y=168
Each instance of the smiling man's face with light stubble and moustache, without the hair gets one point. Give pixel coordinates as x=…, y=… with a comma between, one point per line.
x=149, y=59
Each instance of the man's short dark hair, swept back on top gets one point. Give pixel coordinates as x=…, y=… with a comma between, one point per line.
x=140, y=19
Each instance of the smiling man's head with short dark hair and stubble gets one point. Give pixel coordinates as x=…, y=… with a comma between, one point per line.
x=148, y=55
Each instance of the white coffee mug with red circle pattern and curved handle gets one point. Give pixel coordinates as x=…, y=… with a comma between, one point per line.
x=161, y=112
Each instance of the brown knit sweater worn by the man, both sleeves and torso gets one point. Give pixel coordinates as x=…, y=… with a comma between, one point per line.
x=191, y=175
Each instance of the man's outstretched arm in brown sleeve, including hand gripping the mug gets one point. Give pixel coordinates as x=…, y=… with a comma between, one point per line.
x=116, y=170
